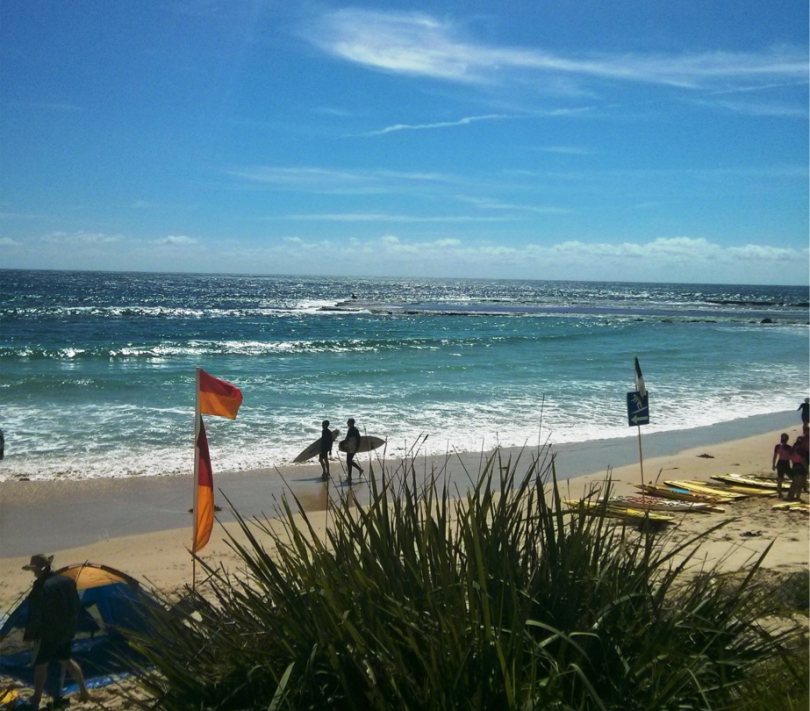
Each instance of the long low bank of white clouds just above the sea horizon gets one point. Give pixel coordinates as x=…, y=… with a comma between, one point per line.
x=685, y=259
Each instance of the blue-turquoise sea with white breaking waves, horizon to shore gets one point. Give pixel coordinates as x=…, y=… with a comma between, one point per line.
x=97, y=370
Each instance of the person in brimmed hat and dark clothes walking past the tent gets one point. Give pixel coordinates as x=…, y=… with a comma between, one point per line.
x=53, y=614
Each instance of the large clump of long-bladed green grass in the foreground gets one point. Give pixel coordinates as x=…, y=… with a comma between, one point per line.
x=497, y=599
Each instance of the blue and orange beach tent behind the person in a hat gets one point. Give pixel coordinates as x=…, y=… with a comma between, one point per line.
x=113, y=603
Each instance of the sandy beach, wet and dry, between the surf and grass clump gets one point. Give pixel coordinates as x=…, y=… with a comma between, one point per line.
x=143, y=527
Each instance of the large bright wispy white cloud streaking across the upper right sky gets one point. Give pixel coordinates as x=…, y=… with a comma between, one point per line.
x=421, y=45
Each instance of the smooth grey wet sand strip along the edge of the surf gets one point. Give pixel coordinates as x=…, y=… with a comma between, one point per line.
x=80, y=513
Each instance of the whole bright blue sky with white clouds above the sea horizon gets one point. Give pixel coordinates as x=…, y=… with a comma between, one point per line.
x=546, y=140
